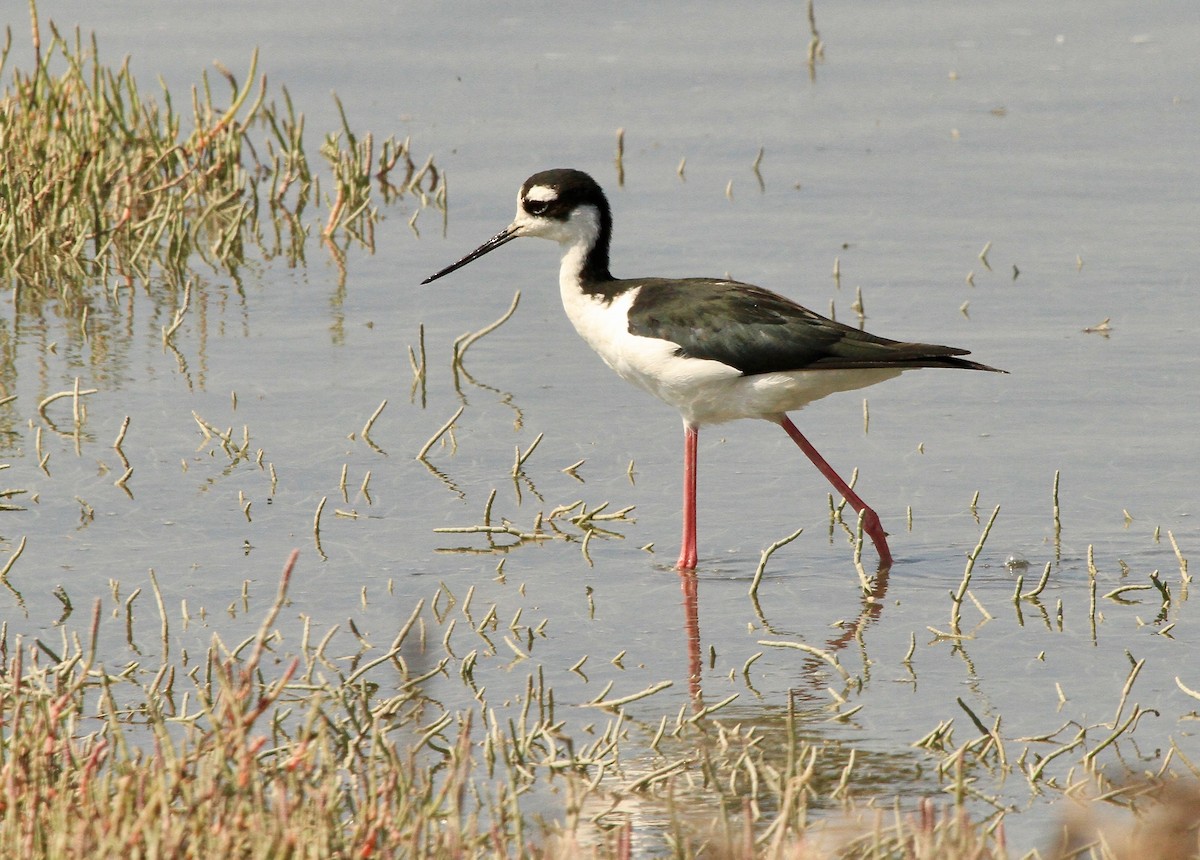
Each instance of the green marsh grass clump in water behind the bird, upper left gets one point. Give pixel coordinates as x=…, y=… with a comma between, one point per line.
x=103, y=183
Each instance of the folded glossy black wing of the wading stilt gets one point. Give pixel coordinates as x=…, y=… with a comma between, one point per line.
x=758, y=332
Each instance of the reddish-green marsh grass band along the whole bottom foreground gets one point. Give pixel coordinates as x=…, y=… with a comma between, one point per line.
x=275, y=747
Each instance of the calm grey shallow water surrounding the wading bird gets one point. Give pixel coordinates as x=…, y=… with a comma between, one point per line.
x=1065, y=137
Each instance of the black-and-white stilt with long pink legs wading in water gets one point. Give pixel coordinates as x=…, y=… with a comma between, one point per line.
x=715, y=350
